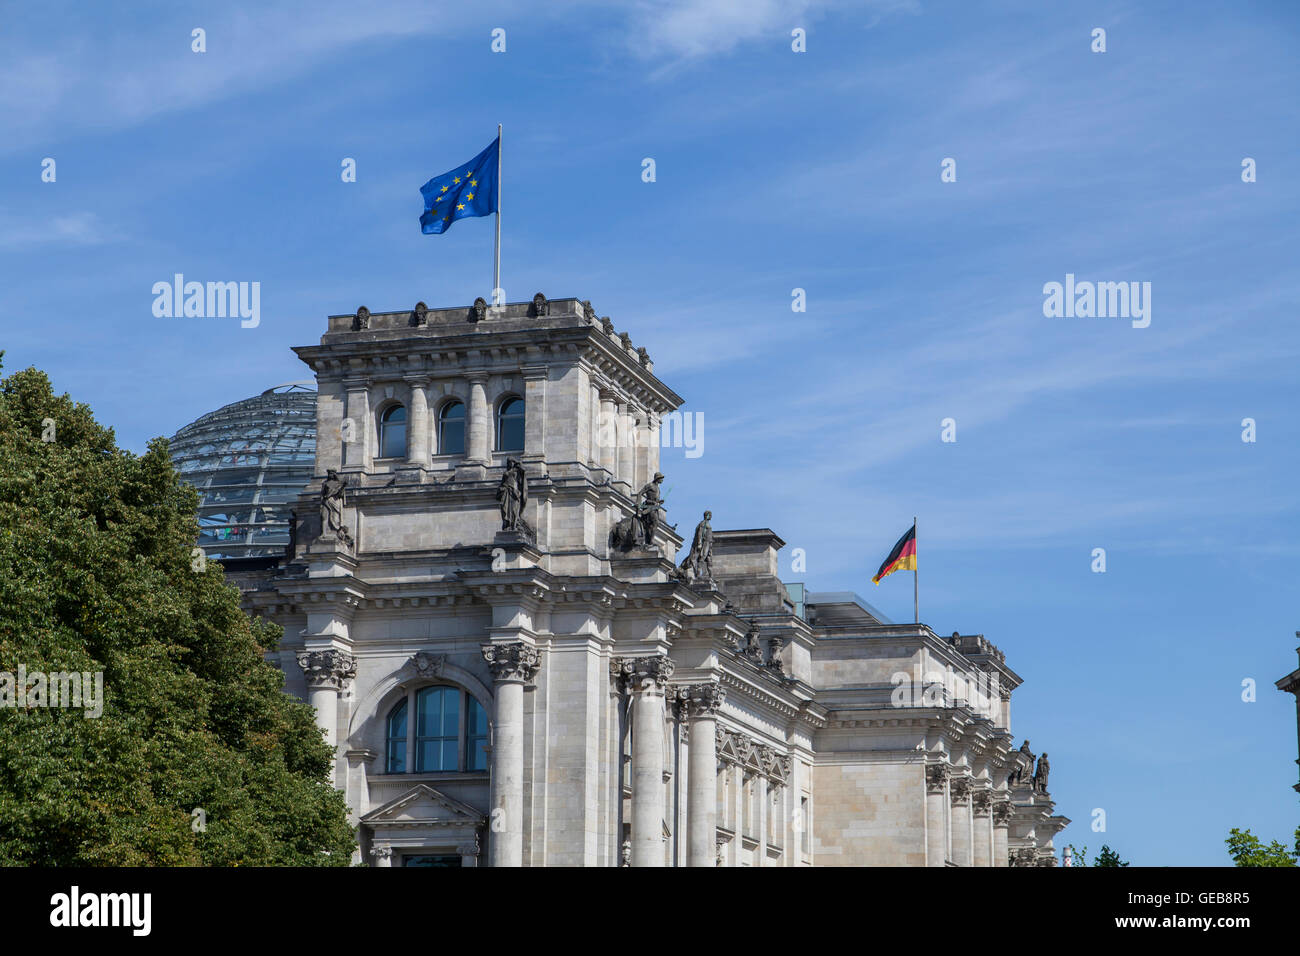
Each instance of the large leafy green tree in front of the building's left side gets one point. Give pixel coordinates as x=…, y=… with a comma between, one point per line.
x=97, y=576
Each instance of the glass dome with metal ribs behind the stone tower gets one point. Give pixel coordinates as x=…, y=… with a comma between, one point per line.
x=249, y=461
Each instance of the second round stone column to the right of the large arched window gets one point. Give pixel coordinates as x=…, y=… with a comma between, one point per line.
x=647, y=678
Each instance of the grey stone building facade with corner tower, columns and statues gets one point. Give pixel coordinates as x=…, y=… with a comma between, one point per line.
x=536, y=691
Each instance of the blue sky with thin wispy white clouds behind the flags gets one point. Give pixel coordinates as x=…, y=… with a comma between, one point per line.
x=775, y=171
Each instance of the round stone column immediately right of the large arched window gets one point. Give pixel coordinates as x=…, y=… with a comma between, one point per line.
x=513, y=665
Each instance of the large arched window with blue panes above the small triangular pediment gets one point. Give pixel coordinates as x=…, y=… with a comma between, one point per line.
x=449, y=733
